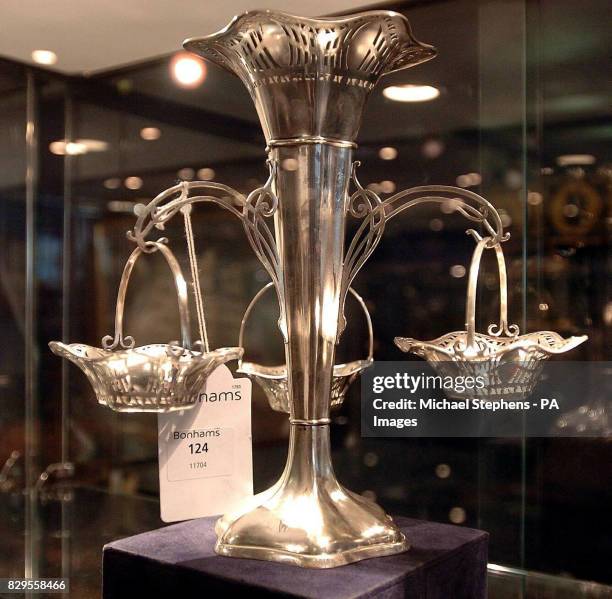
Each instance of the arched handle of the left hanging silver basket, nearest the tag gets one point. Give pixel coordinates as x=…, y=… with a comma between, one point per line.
x=119, y=341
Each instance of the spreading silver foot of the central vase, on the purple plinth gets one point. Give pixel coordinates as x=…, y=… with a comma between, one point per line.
x=307, y=518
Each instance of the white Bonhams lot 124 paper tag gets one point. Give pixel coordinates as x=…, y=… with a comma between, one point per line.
x=205, y=453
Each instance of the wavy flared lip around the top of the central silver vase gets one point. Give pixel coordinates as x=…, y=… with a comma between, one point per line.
x=411, y=53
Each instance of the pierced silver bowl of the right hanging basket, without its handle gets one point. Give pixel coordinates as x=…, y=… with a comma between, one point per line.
x=510, y=366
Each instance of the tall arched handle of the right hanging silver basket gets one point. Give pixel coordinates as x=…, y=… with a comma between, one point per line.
x=495, y=330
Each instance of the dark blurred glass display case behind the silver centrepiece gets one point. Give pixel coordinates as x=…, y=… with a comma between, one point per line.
x=520, y=113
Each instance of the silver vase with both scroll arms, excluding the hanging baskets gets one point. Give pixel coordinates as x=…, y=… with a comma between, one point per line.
x=309, y=80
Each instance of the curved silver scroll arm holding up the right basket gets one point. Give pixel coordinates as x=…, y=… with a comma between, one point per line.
x=366, y=204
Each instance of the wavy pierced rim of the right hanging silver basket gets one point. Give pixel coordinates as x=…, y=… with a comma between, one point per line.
x=452, y=346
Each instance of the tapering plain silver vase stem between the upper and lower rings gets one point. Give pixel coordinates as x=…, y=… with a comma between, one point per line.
x=311, y=185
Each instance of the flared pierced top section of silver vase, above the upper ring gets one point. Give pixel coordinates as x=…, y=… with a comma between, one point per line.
x=310, y=78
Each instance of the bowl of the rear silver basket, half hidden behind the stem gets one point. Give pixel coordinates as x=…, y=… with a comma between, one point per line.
x=273, y=380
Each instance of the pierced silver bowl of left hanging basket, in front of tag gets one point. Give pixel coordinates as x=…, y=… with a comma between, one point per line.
x=151, y=378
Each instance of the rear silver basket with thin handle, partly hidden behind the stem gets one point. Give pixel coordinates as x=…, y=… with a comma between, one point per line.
x=273, y=379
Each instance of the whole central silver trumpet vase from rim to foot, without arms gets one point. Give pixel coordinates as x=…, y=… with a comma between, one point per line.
x=309, y=79
